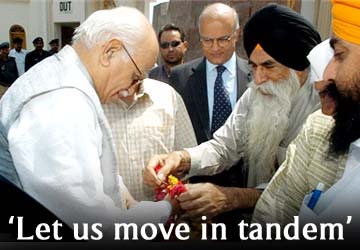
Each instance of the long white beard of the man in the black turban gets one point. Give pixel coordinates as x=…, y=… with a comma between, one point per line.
x=267, y=125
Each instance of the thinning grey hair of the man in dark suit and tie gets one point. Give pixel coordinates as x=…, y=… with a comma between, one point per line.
x=217, y=12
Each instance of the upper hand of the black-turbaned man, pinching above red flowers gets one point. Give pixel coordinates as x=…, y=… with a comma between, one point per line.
x=176, y=163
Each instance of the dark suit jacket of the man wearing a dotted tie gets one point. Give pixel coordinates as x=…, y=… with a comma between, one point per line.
x=189, y=80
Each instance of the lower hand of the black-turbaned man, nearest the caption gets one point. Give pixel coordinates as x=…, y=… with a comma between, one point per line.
x=203, y=199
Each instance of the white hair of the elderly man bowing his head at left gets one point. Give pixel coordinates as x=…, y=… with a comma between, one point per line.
x=125, y=23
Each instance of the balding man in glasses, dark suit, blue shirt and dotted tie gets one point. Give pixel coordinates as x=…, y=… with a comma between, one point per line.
x=195, y=81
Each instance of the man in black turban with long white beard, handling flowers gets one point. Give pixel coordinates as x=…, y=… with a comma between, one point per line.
x=264, y=121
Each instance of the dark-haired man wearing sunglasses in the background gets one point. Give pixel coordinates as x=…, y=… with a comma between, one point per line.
x=172, y=49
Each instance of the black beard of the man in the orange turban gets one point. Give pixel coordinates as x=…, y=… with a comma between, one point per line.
x=347, y=120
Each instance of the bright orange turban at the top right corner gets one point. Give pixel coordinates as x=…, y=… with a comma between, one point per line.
x=346, y=20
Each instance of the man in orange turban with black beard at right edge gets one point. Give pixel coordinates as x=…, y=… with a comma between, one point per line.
x=327, y=150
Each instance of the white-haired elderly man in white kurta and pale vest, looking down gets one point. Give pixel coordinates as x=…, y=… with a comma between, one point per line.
x=55, y=141
